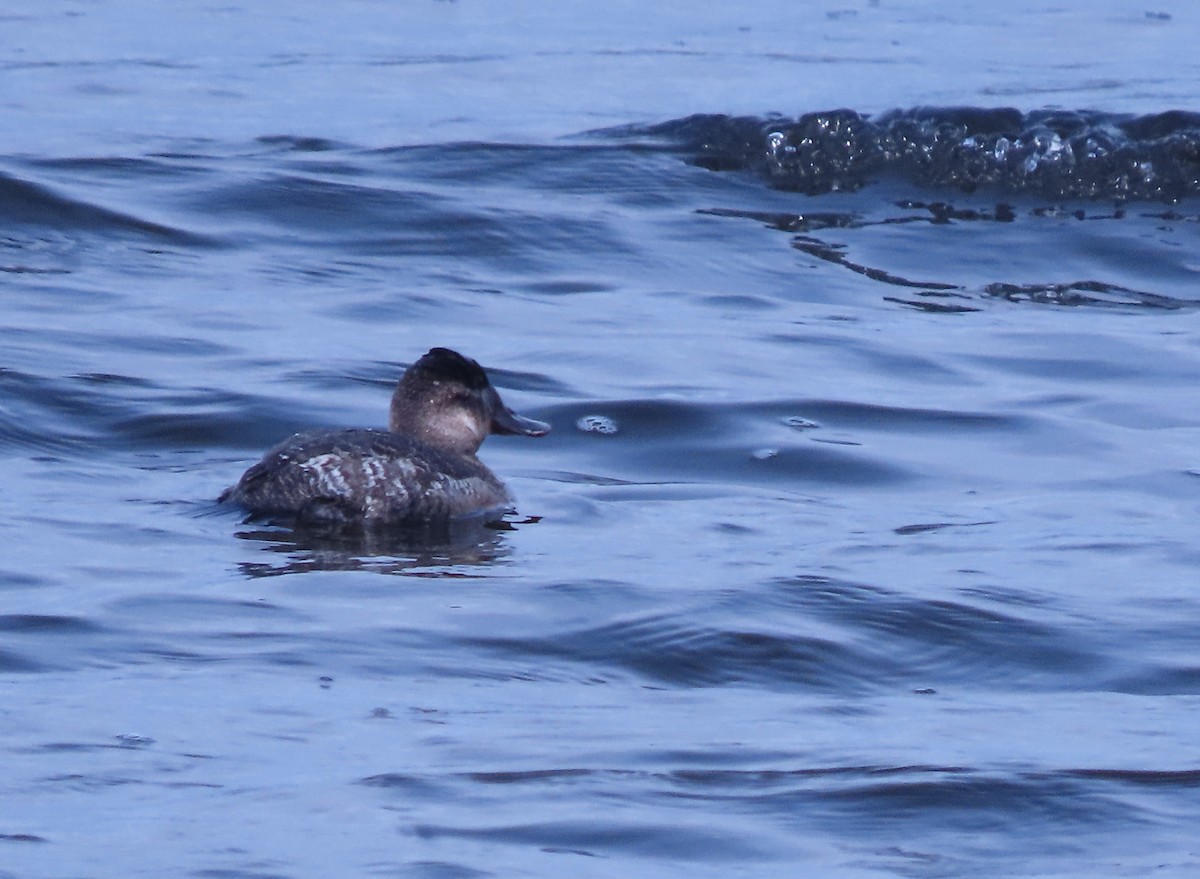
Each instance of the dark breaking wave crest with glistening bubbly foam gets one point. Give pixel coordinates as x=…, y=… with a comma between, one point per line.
x=1057, y=154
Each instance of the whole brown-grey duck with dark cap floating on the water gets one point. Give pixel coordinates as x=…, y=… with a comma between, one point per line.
x=423, y=470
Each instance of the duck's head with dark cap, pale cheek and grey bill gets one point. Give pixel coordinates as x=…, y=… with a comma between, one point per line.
x=447, y=402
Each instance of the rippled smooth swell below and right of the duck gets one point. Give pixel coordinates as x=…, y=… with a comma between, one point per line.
x=817, y=635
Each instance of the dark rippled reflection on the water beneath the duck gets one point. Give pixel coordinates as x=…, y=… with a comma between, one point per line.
x=428, y=551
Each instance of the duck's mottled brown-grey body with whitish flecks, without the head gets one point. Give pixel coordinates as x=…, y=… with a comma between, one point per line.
x=367, y=477
